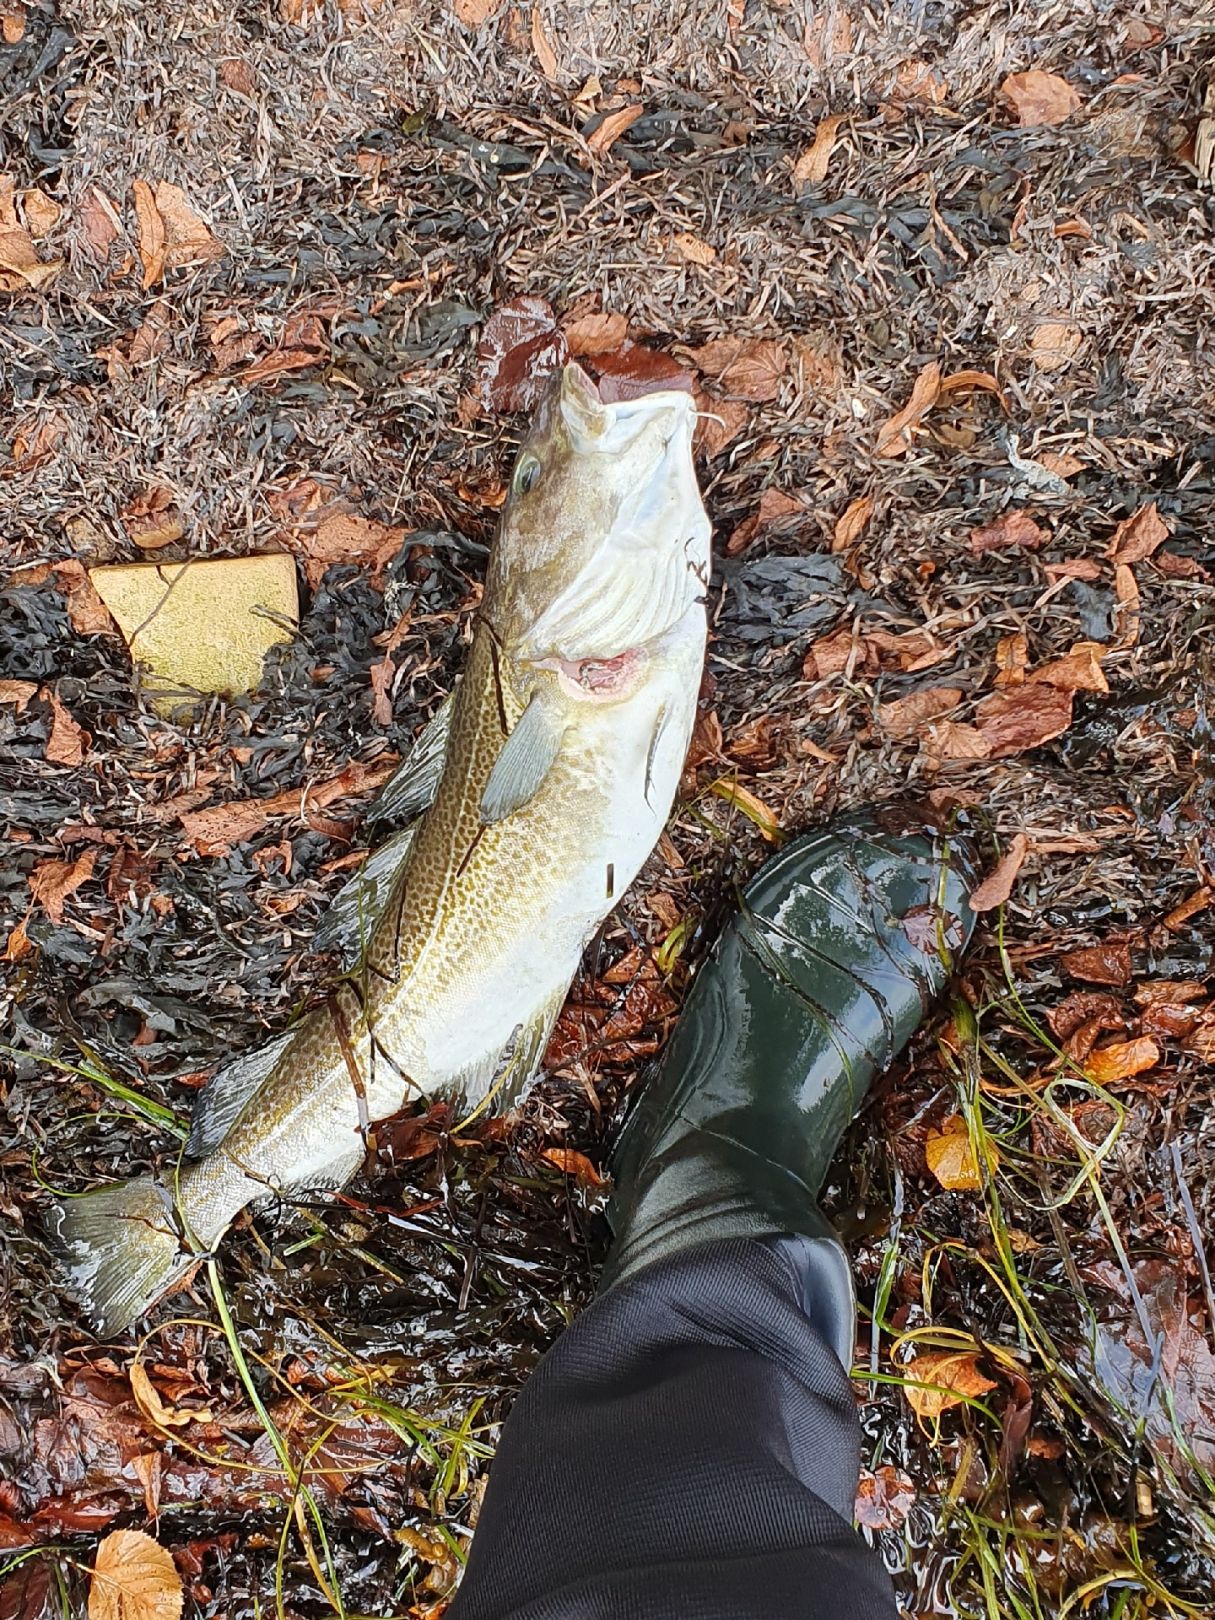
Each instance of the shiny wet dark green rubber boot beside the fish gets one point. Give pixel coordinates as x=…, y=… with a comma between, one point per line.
x=817, y=983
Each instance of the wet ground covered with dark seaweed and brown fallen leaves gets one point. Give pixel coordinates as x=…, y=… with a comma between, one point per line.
x=382, y=182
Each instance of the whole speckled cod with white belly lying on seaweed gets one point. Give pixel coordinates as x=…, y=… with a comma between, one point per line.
x=545, y=787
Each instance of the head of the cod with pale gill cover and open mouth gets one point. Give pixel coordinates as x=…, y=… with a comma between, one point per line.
x=605, y=544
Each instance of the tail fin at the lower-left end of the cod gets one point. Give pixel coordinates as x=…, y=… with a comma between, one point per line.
x=121, y=1248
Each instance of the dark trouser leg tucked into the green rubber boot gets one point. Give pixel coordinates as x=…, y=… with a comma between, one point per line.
x=688, y=1449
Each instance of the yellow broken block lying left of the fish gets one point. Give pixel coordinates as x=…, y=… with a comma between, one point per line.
x=202, y=626
